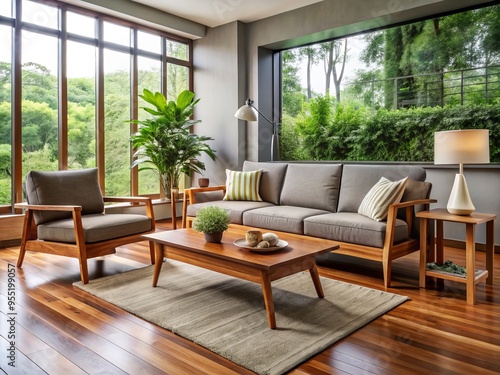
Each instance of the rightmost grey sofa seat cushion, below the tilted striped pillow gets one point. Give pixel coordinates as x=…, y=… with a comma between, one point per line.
x=353, y=228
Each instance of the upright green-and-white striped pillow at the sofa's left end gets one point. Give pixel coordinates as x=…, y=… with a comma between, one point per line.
x=243, y=186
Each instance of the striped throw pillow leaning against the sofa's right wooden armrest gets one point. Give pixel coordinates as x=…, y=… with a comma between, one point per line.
x=376, y=202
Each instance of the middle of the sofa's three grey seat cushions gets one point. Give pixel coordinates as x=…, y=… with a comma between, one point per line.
x=282, y=218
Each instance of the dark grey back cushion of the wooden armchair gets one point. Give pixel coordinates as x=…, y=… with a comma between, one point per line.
x=75, y=187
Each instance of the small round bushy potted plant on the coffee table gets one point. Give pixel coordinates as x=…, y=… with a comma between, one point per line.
x=212, y=221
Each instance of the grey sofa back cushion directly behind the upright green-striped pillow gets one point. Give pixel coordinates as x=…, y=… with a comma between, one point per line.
x=271, y=181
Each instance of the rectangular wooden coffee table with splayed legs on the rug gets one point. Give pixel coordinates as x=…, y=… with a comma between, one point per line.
x=188, y=246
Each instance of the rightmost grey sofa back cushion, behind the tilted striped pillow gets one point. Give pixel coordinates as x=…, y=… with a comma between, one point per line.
x=357, y=180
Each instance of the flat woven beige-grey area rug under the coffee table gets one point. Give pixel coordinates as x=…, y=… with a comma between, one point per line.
x=228, y=316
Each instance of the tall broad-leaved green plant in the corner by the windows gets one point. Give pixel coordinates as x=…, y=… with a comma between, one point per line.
x=165, y=144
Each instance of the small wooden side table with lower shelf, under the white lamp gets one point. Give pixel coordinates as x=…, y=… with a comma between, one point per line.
x=470, y=221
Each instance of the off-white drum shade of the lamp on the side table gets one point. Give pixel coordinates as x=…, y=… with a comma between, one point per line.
x=462, y=147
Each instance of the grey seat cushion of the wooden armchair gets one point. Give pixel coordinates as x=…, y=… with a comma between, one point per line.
x=96, y=228
